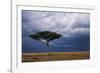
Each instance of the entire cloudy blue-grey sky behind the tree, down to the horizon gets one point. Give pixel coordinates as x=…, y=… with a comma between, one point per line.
x=74, y=27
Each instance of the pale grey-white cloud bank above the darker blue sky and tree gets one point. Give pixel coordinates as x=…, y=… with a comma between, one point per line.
x=63, y=23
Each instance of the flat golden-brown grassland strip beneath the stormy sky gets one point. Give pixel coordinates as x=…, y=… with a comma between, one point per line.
x=36, y=57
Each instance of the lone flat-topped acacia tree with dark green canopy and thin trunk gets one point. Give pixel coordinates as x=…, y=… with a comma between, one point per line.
x=45, y=37
